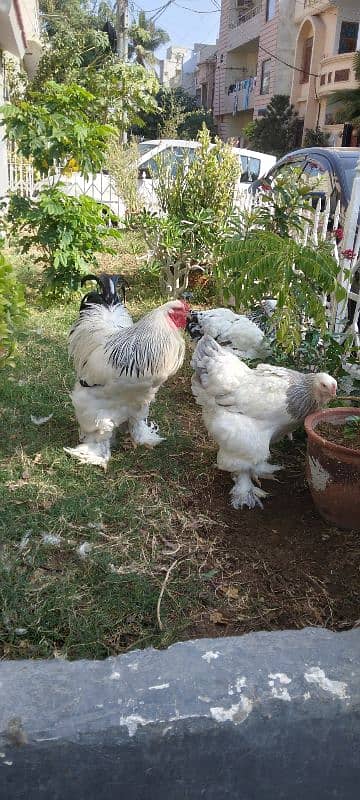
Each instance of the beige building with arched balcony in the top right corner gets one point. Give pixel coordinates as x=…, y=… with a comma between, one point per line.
x=328, y=34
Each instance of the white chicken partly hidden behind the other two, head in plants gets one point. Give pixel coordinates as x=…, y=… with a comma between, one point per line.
x=244, y=335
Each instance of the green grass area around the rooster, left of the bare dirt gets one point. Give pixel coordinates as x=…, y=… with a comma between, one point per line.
x=54, y=601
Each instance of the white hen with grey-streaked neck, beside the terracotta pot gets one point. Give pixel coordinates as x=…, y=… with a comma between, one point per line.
x=245, y=410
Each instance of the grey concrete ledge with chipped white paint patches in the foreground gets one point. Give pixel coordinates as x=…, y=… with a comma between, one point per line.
x=268, y=716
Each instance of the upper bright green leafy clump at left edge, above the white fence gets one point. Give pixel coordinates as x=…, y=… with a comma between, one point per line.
x=56, y=126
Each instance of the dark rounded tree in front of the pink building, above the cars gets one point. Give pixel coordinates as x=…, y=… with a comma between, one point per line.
x=278, y=131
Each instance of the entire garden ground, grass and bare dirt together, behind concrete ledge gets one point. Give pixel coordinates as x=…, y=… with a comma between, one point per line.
x=94, y=564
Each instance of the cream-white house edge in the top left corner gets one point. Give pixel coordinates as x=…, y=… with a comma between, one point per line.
x=20, y=42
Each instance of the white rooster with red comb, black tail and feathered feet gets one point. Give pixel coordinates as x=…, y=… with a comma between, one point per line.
x=120, y=366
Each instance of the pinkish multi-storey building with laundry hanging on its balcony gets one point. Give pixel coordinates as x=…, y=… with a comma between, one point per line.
x=255, y=54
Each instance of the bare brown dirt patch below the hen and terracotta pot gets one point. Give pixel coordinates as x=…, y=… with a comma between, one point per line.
x=280, y=567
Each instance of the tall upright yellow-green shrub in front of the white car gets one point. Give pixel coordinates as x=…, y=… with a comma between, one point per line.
x=196, y=204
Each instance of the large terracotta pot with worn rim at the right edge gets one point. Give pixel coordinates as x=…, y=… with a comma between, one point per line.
x=333, y=471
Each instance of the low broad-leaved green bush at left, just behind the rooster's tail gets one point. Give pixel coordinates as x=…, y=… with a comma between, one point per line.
x=69, y=231
